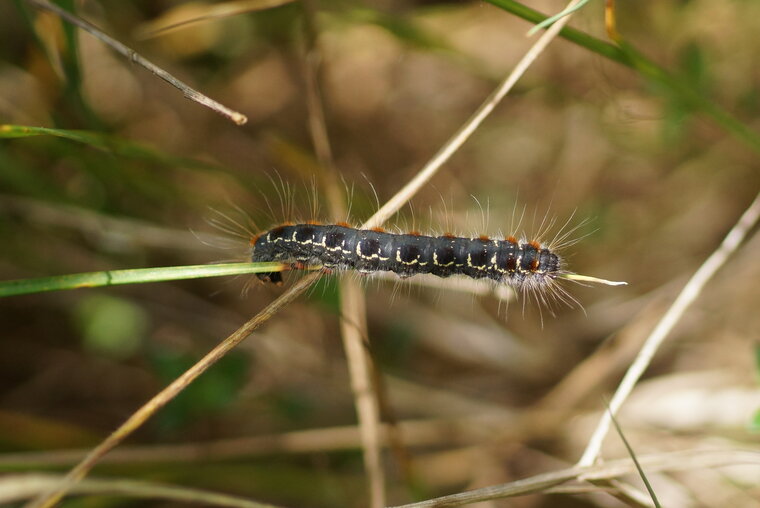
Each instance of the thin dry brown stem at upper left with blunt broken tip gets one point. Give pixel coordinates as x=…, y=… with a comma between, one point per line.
x=130, y=54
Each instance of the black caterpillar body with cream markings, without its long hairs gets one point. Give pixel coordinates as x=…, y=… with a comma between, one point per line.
x=523, y=265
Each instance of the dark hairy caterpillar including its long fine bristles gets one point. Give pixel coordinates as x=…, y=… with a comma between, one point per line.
x=529, y=267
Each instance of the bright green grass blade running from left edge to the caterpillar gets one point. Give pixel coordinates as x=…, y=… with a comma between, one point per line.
x=134, y=276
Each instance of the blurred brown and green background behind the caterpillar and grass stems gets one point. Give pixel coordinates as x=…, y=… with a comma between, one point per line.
x=486, y=393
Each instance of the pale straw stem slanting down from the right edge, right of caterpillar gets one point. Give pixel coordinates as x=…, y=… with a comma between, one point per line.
x=687, y=296
